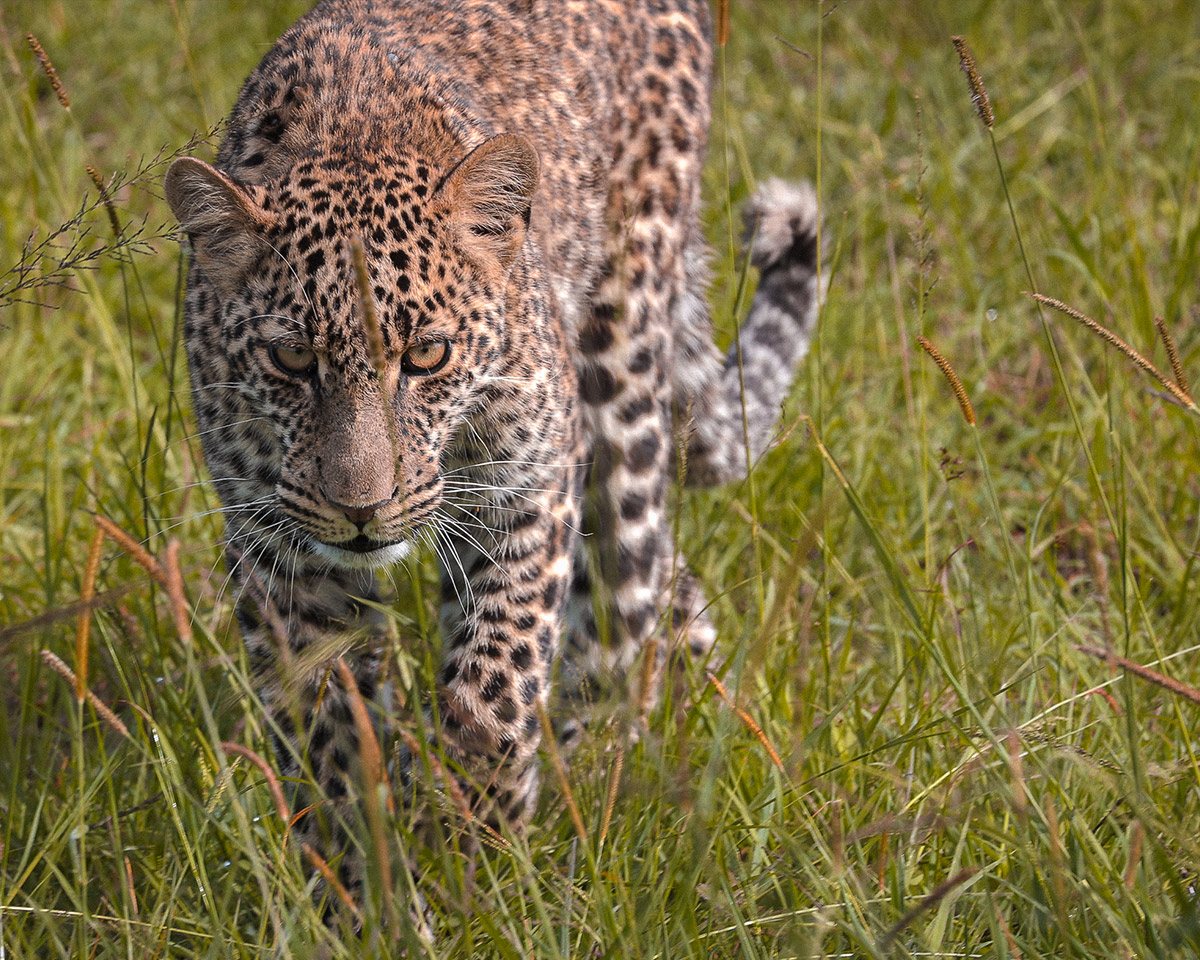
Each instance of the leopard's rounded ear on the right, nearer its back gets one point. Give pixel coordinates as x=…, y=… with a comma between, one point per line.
x=490, y=196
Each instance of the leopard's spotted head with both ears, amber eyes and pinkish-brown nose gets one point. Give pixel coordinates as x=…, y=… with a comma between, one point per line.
x=355, y=418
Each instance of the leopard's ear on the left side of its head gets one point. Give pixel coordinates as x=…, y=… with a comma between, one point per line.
x=220, y=218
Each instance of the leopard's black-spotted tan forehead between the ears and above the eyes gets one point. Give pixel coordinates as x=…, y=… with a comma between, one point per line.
x=421, y=284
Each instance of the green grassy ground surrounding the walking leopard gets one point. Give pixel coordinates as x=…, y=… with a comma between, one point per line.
x=902, y=596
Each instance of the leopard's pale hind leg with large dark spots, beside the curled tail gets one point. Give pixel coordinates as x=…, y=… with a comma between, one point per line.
x=625, y=355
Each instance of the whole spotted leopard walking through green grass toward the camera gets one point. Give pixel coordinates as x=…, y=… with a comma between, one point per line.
x=448, y=286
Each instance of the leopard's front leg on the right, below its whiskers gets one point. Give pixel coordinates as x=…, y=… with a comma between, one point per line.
x=506, y=586
